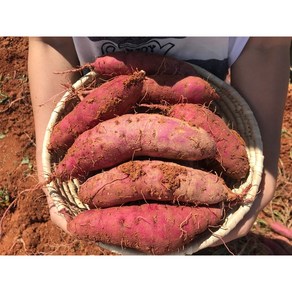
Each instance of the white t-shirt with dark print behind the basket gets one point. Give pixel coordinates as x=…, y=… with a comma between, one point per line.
x=215, y=54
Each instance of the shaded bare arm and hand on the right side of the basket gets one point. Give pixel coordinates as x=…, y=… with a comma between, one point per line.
x=261, y=75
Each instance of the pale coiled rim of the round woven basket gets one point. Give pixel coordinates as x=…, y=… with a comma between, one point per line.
x=256, y=155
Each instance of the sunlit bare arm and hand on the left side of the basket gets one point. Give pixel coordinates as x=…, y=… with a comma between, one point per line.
x=46, y=56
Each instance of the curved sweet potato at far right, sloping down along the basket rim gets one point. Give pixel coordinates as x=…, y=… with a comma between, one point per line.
x=231, y=159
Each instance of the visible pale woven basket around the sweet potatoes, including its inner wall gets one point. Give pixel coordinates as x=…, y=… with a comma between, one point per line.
x=231, y=107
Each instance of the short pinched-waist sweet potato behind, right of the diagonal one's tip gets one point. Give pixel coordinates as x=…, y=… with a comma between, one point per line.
x=172, y=89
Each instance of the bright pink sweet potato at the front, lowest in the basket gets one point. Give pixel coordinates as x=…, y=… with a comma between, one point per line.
x=149, y=228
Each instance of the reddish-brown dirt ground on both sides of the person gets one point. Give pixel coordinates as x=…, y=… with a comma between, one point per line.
x=25, y=226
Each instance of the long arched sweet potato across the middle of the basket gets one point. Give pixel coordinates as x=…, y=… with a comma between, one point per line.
x=132, y=135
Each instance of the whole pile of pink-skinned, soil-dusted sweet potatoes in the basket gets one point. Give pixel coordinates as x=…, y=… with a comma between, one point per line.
x=152, y=158
